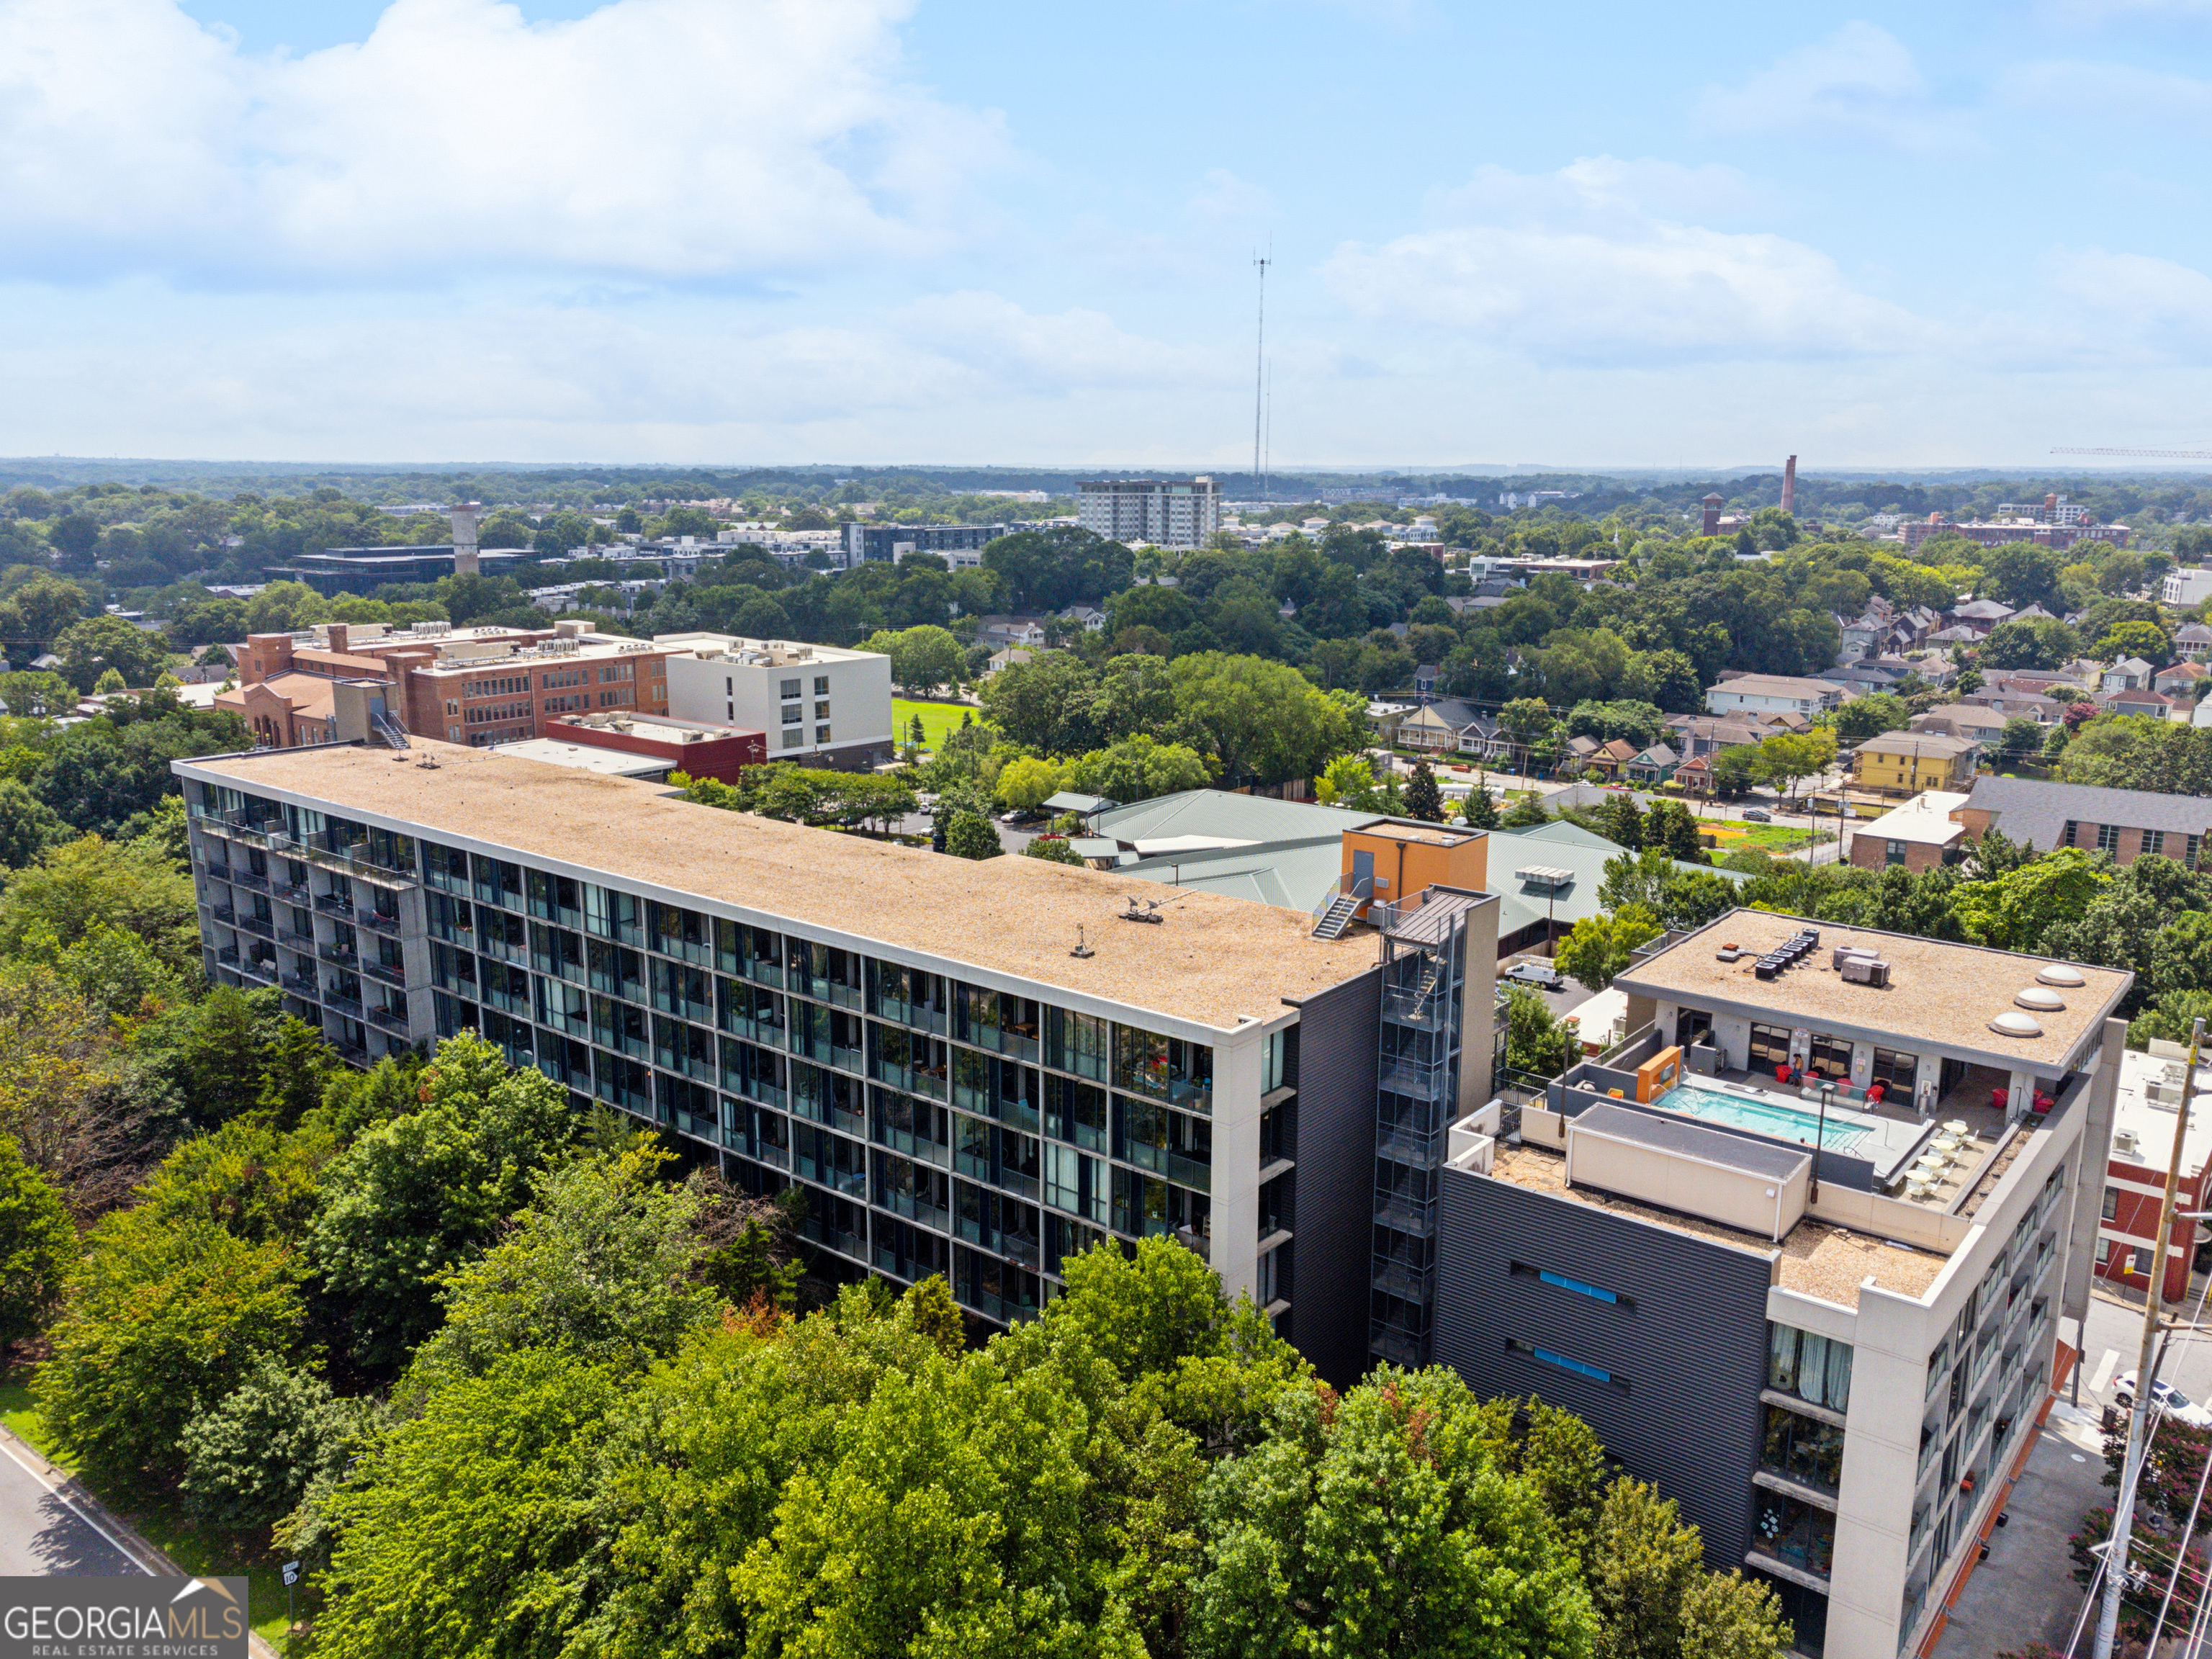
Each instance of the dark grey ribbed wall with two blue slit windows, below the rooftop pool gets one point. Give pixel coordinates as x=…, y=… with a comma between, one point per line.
x=1693, y=1348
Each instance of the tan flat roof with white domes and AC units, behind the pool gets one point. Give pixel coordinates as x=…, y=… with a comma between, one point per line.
x=1939, y=994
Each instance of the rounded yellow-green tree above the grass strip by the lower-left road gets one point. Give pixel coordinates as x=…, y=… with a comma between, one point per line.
x=163, y=1319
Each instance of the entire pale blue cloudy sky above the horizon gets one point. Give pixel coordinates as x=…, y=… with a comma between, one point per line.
x=755, y=231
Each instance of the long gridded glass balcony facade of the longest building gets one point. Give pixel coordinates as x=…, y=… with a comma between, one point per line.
x=937, y=1127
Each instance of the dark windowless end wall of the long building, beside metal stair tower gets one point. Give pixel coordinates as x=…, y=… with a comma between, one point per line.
x=1335, y=1180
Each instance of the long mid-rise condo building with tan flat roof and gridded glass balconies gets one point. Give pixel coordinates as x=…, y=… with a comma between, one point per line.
x=968, y=1067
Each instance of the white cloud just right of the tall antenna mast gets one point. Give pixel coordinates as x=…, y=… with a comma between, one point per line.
x=1572, y=267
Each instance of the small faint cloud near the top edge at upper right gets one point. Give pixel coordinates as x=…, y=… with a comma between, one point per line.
x=1859, y=81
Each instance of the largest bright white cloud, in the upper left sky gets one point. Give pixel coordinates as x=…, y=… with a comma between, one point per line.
x=665, y=138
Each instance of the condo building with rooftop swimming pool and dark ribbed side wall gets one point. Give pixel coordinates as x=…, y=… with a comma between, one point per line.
x=1830, y=1357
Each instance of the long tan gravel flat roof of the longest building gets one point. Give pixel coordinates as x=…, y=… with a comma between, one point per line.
x=1211, y=963
